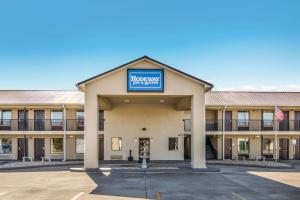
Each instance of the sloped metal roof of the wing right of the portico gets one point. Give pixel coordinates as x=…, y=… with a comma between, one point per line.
x=240, y=98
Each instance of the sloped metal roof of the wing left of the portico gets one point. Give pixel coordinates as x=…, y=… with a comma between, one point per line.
x=41, y=97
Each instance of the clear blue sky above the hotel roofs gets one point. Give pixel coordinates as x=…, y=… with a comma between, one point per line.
x=240, y=45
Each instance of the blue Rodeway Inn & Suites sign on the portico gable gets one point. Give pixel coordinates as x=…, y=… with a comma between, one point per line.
x=145, y=80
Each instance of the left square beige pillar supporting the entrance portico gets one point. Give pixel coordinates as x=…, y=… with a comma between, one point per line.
x=91, y=131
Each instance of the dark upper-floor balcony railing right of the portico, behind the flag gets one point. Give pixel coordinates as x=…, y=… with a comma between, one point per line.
x=252, y=125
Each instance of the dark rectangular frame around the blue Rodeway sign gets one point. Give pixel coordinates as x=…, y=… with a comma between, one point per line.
x=160, y=90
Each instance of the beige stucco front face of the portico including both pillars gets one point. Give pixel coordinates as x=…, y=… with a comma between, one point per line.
x=115, y=83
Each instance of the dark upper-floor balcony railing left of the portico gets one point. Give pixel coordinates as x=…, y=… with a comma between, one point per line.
x=41, y=125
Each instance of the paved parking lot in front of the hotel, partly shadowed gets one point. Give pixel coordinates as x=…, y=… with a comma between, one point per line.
x=230, y=183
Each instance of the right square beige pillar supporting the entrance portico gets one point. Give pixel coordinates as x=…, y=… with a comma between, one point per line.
x=198, y=131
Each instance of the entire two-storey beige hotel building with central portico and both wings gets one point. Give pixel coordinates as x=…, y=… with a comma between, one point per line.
x=145, y=105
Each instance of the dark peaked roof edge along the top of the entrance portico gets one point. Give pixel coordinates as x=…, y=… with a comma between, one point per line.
x=206, y=84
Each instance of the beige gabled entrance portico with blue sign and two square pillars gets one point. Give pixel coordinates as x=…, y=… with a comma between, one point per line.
x=151, y=113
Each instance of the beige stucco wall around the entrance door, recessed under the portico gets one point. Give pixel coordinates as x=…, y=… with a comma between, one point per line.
x=161, y=122
